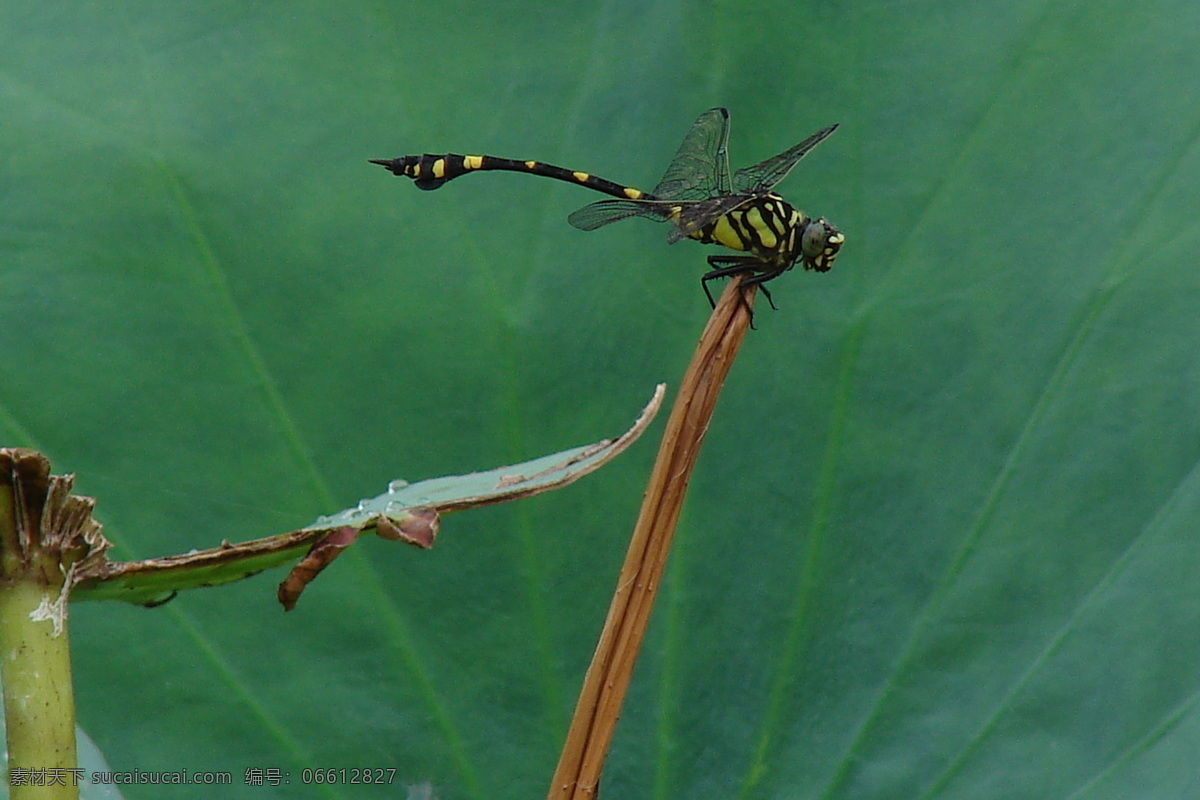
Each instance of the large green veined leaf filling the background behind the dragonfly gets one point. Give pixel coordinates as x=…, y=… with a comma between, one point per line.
x=943, y=542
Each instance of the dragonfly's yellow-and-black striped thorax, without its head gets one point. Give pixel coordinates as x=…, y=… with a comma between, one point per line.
x=765, y=227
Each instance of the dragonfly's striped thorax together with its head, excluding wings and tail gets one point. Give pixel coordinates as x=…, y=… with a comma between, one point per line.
x=775, y=232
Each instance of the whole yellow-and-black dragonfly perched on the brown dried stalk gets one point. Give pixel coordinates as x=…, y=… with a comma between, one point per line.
x=698, y=196
